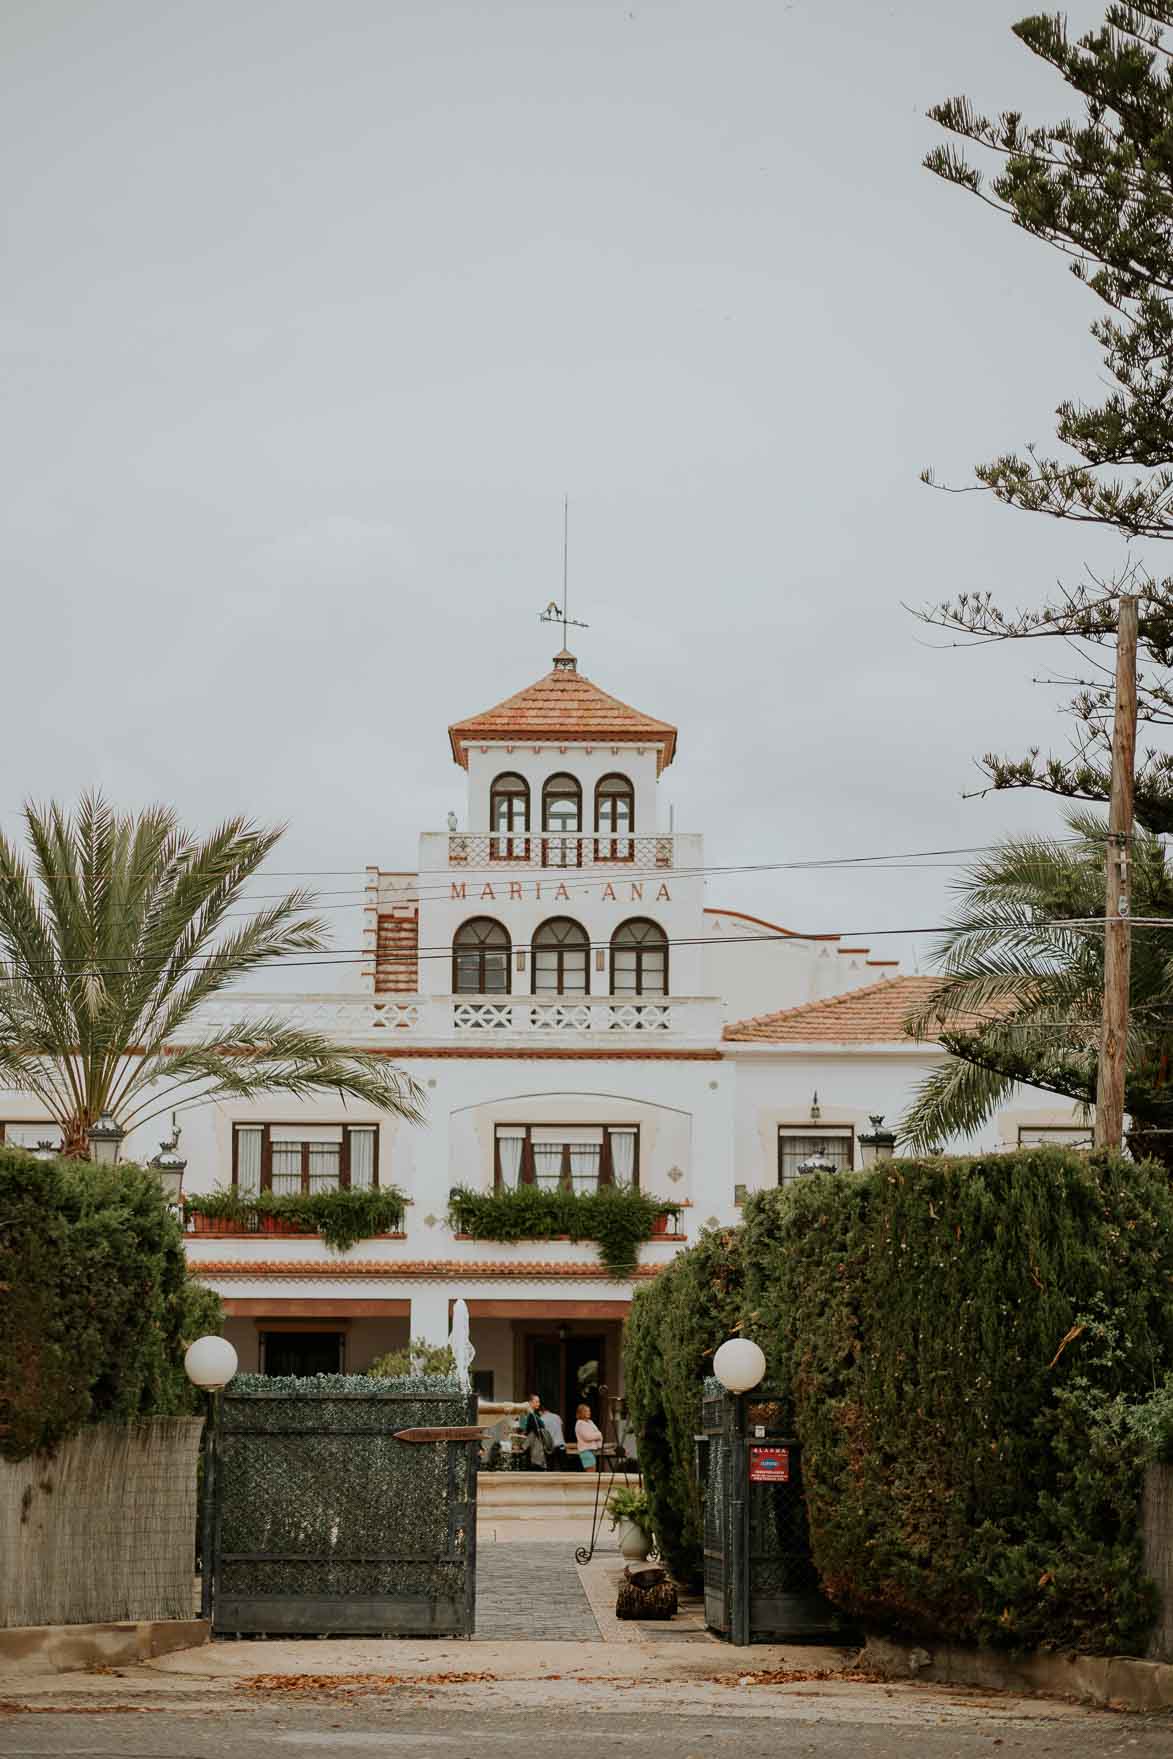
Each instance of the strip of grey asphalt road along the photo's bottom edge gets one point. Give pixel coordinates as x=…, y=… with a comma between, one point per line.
x=942, y=1728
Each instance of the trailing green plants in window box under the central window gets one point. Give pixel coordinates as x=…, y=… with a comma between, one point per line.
x=616, y=1218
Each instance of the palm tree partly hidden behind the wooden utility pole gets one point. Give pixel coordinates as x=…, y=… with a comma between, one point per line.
x=1023, y=988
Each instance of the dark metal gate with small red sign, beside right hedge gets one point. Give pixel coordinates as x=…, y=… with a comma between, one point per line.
x=761, y=1579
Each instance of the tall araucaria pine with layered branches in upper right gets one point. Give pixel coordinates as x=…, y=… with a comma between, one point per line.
x=1098, y=189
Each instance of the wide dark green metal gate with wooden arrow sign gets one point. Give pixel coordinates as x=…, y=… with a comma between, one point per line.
x=326, y=1521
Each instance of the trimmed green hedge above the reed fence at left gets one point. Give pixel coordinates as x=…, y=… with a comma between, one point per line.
x=96, y=1303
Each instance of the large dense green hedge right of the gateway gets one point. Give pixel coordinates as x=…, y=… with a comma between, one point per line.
x=966, y=1348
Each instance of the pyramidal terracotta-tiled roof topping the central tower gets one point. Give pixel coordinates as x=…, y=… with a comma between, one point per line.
x=564, y=706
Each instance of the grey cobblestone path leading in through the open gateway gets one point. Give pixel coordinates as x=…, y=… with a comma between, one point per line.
x=532, y=1589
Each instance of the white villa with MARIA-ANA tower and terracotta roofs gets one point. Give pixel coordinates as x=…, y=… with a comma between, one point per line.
x=576, y=1007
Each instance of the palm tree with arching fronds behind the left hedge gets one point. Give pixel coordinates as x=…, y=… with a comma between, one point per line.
x=113, y=935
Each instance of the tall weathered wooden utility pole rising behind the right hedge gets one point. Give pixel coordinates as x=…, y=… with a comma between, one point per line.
x=1118, y=910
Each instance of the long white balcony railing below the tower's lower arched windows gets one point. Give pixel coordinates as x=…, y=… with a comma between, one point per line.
x=367, y=1023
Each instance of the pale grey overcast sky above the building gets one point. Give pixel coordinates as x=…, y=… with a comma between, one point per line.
x=312, y=312
